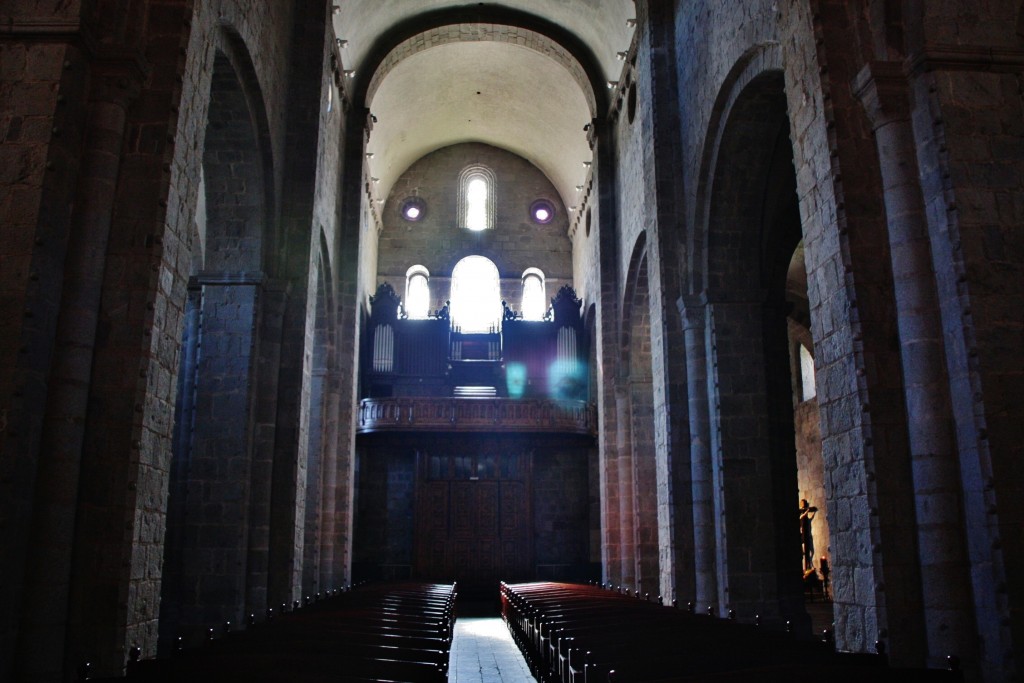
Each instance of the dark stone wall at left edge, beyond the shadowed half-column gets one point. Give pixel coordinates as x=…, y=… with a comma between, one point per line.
x=44, y=91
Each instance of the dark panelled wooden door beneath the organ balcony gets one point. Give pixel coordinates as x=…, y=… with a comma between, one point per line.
x=474, y=521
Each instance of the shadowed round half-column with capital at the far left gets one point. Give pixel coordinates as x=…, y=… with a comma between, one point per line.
x=49, y=577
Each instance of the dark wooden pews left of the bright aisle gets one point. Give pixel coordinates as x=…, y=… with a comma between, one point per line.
x=398, y=633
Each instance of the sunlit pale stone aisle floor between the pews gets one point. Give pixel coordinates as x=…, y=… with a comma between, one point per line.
x=483, y=652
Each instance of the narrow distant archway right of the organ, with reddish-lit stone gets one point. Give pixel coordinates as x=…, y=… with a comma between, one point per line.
x=637, y=472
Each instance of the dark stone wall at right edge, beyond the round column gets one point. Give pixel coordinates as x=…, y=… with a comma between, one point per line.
x=968, y=130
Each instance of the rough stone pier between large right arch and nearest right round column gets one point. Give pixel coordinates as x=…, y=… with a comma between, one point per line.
x=865, y=443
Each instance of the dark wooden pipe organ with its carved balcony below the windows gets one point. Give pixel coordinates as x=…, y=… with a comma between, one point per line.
x=521, y=376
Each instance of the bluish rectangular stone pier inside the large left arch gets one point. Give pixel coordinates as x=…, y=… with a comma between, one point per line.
x=219, y=486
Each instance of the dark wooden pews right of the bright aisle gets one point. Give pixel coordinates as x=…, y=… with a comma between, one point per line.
x=572, y=633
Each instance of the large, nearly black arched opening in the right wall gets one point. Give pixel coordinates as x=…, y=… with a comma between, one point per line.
x=753, y=228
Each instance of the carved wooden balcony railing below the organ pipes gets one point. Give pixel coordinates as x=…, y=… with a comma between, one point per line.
x=501, y=415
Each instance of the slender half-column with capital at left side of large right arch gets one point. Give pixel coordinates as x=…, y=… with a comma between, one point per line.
x=693, y=313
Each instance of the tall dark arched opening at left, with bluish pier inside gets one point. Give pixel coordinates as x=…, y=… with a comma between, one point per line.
x=207, y=550
